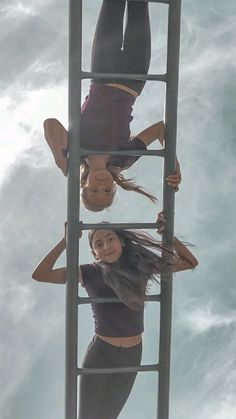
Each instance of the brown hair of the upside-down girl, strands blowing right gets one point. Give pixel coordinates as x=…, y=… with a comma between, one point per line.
x=119, y=179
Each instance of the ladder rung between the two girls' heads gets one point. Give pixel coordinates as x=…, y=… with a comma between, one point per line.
x=110, y=226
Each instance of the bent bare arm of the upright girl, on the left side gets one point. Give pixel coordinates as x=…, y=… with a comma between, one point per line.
x=44, y=272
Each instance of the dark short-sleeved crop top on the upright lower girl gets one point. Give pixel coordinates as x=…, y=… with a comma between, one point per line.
x=110, y=319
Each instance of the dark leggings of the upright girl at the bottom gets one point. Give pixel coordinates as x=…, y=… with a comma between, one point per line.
x=103, y=396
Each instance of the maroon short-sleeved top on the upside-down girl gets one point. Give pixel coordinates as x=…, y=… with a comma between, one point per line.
x=105, y=123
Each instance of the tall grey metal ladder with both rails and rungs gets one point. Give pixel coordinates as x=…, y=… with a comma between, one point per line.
x=75, y=226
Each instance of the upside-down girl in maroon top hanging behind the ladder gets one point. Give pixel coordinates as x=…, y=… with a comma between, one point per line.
x=107, y=110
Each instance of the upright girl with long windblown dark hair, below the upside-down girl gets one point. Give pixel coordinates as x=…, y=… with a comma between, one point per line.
x=124, y=264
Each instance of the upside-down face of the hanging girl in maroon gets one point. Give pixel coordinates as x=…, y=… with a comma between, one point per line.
x=99, y=190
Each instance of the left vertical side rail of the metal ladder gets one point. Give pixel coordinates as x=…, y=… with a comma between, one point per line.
x=73, y=202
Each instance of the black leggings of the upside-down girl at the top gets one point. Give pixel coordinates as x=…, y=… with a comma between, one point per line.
x=115, y=52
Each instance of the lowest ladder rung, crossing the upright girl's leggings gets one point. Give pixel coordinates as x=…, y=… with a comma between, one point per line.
x=140, y=368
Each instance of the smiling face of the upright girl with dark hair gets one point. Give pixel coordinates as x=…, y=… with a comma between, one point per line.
x=106, y=246
